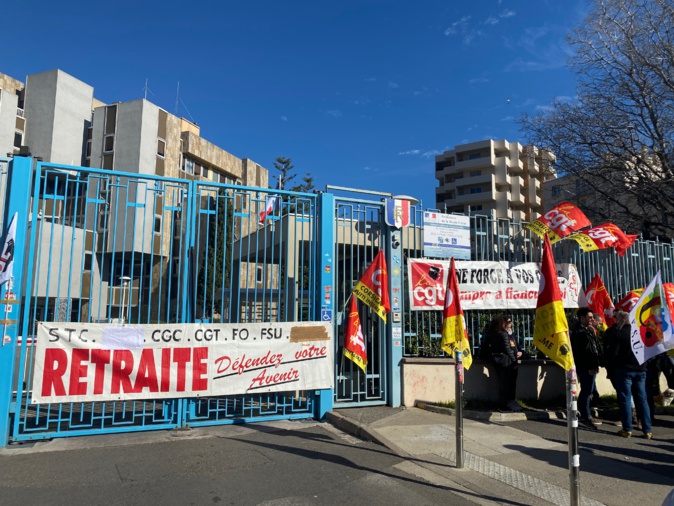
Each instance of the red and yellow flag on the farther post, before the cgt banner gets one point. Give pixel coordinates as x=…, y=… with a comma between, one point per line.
x=454, y=334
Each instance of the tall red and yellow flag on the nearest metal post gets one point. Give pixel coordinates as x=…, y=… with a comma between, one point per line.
x=551, y=330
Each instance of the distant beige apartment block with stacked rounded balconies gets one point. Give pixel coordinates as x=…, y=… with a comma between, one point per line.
x=495, y=178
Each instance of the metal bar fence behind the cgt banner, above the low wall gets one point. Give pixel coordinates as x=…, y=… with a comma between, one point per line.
x=509, y=241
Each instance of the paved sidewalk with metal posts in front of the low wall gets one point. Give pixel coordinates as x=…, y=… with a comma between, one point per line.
x=502, y=464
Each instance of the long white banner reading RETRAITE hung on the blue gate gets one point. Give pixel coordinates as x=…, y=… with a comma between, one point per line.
x=96, y=362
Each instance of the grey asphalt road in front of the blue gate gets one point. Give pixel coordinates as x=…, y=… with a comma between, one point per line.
x=306, y=464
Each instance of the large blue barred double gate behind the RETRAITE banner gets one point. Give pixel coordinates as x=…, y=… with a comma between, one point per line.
x=107, y=246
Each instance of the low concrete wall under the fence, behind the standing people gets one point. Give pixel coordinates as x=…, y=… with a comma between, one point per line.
x=432, y=380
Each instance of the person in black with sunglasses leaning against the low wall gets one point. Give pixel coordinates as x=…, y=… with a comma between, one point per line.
x=504, y=355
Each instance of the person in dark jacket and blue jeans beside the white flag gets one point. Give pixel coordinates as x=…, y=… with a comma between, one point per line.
x=630, y=377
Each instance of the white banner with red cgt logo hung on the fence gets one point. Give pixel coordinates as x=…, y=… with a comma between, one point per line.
x=486, y=285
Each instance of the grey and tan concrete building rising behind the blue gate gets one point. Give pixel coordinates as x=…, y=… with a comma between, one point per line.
x=57, y=118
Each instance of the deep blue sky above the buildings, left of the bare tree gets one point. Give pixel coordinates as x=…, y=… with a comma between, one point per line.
x=360, y=93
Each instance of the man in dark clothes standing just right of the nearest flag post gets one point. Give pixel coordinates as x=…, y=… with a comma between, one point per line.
x=587, y=357
